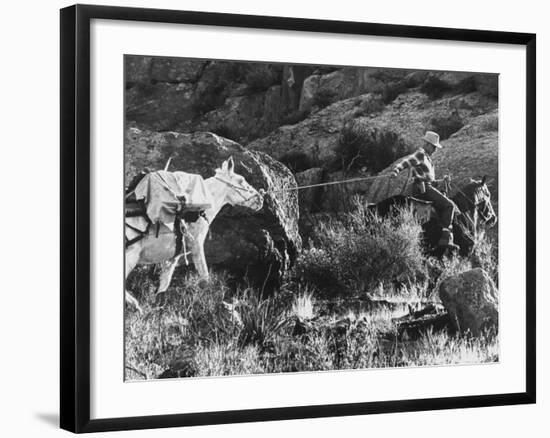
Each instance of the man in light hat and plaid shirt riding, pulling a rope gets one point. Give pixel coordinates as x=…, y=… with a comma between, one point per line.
x=423, y=173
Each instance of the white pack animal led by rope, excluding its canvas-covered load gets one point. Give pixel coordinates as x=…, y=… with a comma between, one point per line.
x=158, y=246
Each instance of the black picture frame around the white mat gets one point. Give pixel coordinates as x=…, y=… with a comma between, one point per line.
x=75, y=217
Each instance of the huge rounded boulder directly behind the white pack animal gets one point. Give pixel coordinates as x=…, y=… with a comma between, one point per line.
x=262, y=245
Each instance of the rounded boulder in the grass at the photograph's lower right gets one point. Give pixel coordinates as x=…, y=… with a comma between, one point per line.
x=471, y=298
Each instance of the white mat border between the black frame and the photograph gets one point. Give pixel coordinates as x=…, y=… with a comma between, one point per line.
x=111, y=397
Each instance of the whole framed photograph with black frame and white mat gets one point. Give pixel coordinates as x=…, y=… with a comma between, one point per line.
x=269, y=218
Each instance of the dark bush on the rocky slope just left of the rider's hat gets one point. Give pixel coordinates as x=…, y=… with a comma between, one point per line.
x=361, y=145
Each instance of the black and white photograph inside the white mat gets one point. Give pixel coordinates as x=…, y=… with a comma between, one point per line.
x=287, y=218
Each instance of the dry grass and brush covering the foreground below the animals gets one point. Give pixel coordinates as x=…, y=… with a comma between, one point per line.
x=308, y=325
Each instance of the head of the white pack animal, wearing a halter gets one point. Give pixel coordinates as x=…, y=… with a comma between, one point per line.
x=237, y=190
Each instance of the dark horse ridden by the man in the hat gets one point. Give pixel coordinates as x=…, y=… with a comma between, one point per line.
x=473, y=208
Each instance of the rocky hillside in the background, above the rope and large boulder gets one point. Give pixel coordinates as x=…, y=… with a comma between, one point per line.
x=324, y=123
